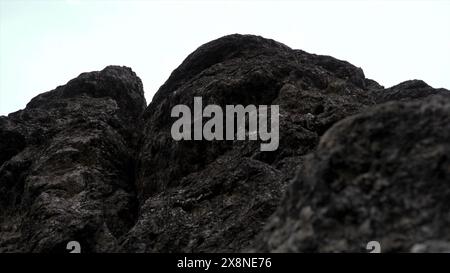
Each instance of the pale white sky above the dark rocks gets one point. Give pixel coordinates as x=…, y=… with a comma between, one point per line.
x=44, y=44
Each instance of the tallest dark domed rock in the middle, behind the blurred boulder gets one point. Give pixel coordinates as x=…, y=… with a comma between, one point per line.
x=201, y=196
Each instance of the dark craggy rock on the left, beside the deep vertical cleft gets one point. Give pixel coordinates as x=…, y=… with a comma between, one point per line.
x=68, y=170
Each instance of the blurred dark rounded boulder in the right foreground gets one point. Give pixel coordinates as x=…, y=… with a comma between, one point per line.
x=380, y=175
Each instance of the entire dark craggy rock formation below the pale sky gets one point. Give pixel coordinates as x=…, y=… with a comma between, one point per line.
x=89, y=162
